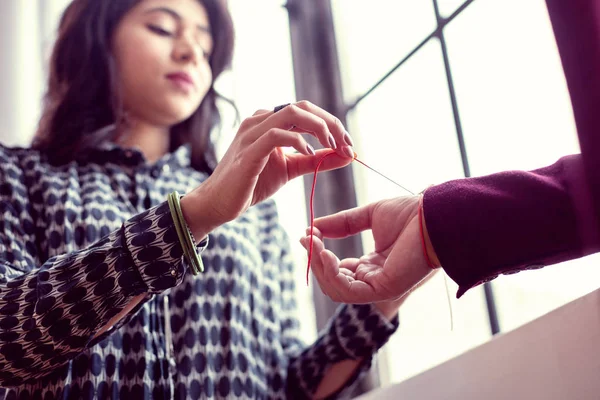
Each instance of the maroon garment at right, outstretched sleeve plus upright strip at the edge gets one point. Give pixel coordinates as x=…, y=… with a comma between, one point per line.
x=482, y=227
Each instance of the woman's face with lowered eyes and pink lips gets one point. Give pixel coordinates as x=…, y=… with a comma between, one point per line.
x=162, y=50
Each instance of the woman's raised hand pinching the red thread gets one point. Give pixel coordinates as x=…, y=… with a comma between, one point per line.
x=255, y=166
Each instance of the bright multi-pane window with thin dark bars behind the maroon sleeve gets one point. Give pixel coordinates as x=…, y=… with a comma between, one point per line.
x=482, y=94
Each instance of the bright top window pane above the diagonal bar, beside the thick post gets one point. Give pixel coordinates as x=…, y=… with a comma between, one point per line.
x=373, y=36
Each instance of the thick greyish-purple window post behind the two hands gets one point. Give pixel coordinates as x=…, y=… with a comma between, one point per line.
x=318, y=79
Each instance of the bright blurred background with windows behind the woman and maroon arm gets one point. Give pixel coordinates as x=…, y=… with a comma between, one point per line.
x=430, y=90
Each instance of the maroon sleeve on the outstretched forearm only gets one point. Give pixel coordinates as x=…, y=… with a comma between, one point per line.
x=510, y=221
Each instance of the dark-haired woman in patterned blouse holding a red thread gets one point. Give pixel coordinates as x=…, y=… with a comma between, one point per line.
x=96, y=300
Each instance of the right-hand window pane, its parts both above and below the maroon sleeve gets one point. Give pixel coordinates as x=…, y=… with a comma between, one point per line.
x=516, y=114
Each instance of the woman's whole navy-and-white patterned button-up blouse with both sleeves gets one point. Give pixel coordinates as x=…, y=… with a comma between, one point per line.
x=79, y=241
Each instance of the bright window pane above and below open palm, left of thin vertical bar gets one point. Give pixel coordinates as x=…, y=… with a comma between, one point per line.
x=405, y=129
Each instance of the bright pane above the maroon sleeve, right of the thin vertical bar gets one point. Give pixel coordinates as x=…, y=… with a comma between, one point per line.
x=512, y=94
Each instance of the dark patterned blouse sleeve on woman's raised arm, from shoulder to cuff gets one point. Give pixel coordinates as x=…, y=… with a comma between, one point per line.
x=51, y=308
